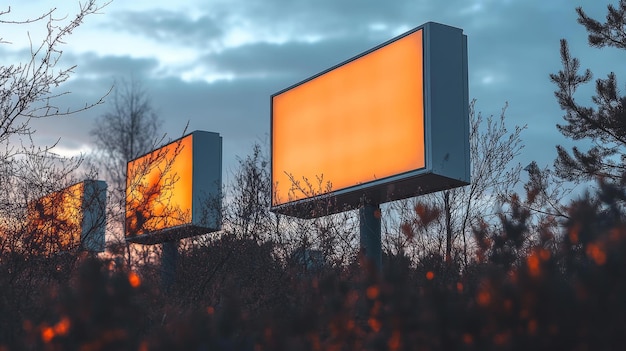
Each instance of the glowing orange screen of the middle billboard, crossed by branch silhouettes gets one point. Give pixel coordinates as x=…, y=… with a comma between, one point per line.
x=159, y=188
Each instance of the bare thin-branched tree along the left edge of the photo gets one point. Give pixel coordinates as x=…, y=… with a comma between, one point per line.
x=28, y=90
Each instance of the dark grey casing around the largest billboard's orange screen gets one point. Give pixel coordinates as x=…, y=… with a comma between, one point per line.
x=446, y=128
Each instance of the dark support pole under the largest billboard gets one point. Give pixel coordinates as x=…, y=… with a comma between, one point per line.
x=370, y=242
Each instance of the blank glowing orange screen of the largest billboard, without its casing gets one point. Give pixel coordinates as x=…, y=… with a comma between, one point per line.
x=357, y=123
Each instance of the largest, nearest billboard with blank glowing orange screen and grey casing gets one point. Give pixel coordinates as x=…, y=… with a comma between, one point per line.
x=385, y=125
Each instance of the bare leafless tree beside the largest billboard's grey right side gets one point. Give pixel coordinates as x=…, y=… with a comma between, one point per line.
x=493, y=177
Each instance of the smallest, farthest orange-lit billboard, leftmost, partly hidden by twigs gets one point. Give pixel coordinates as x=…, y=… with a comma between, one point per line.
x=70, y=219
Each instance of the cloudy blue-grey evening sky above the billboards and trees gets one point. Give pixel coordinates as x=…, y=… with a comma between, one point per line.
x=215, y=63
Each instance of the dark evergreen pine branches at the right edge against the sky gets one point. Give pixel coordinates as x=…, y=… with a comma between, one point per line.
x=604, y=124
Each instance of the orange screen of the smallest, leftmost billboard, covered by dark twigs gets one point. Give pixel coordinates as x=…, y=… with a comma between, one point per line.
x=58, y=217
